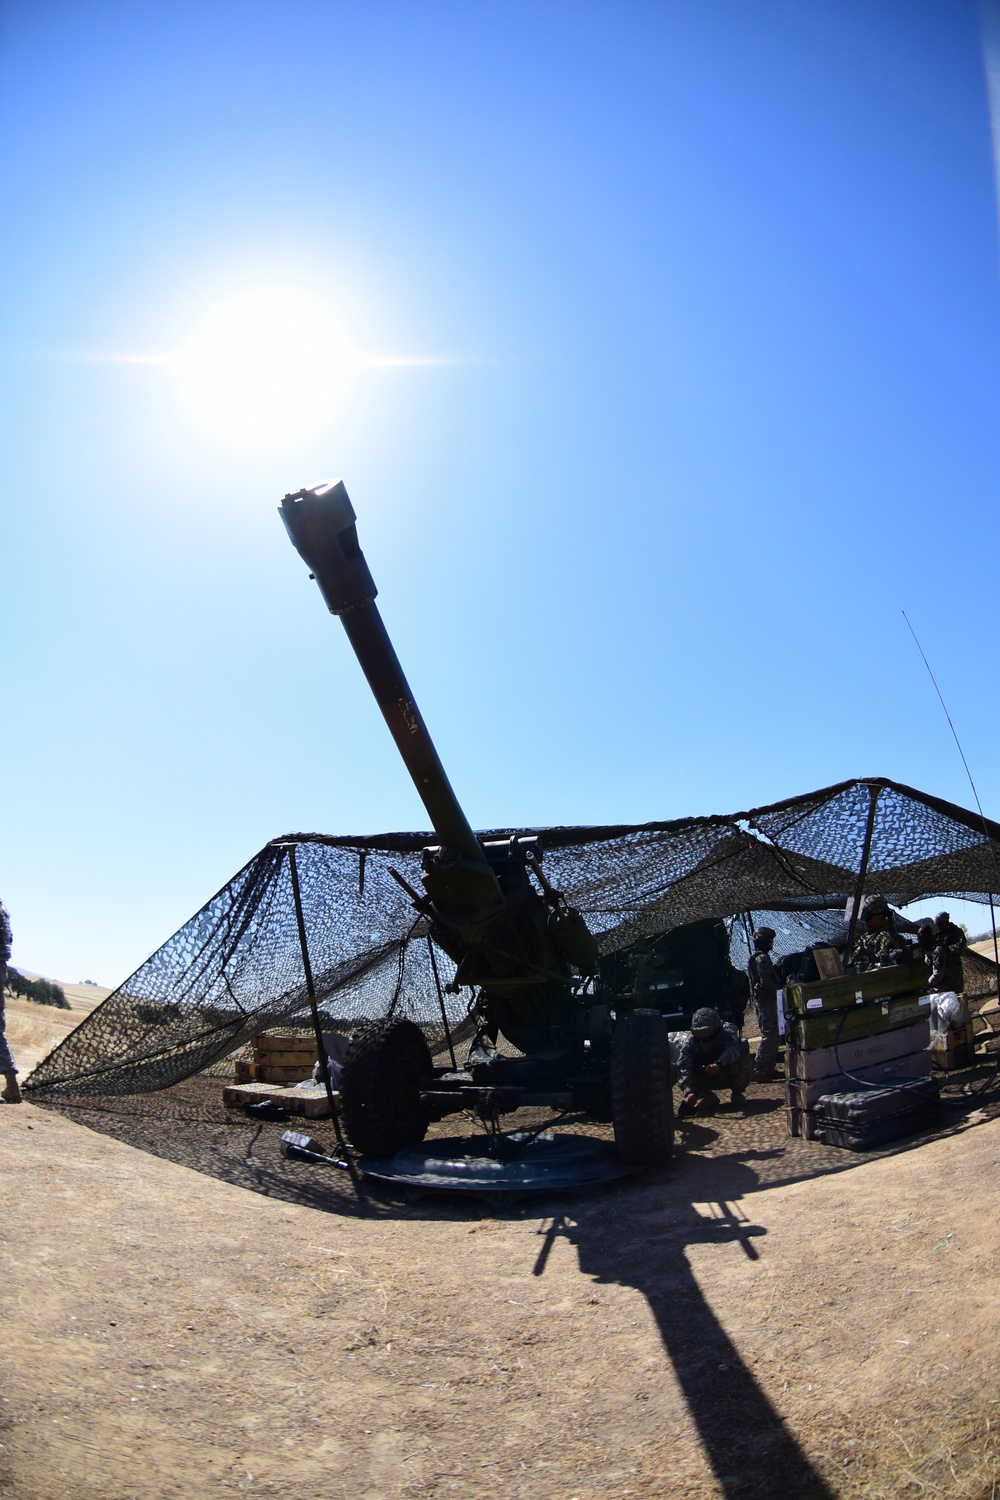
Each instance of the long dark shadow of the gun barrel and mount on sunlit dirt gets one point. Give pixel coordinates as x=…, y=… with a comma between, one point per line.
x=752, y=1451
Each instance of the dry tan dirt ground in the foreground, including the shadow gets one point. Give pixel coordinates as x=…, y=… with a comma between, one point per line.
x=767, y=1318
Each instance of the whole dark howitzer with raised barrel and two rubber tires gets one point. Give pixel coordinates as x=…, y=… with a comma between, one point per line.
x=512, y=937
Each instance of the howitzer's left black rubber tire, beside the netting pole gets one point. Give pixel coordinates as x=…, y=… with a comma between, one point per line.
x=380, y=1087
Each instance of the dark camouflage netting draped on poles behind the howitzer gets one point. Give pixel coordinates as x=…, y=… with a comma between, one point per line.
x=236, y=968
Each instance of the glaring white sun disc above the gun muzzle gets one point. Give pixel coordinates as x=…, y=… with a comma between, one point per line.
x=263, y=368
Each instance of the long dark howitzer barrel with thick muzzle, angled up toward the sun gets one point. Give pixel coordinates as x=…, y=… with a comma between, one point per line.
x=322, y=527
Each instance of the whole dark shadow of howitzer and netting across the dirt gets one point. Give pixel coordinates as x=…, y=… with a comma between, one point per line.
x=635, y=1234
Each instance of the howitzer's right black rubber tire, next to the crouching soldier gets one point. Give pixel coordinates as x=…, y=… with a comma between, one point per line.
x=642, y=1093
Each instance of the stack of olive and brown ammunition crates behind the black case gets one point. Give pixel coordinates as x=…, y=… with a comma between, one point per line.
x=873, y=1027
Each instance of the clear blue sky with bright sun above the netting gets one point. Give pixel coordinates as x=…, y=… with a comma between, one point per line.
x=659, y=346
